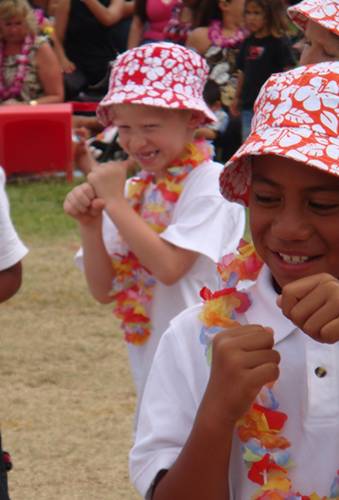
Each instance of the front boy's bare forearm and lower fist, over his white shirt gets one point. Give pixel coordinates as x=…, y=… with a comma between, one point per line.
x=243, y=361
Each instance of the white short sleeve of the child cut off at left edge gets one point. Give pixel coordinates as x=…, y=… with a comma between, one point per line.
x=12, y=249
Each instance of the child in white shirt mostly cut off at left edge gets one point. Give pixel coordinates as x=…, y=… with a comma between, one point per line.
x=12, y=251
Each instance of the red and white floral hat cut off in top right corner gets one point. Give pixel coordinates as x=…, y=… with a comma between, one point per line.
x=323, y=12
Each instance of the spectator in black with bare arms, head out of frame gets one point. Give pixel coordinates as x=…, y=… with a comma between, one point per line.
x=84, y=30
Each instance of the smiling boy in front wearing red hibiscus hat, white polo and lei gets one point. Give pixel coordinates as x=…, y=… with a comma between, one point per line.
x=242, y=400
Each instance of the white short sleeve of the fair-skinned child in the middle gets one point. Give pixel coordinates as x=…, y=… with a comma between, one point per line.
x=203, y=221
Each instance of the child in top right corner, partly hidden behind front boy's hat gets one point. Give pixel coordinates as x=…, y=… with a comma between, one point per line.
x=320, y=21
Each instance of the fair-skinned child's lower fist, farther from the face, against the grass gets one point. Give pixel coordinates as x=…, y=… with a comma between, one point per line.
x=82, y=204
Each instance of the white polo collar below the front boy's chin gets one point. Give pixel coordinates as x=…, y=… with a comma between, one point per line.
x=264, y=310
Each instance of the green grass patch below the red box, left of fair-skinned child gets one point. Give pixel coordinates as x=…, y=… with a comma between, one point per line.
x=37, y=208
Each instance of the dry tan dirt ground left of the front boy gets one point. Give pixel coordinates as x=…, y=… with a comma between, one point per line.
x=66, y=396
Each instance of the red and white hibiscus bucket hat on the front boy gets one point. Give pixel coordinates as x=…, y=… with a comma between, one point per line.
x=296, y=116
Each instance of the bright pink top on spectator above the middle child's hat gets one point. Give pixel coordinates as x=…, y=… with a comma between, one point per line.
x=158, y=13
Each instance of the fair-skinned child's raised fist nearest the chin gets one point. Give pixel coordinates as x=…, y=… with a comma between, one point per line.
x=108, y=180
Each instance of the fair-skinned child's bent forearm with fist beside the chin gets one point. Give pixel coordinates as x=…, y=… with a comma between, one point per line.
x=168, y=263
